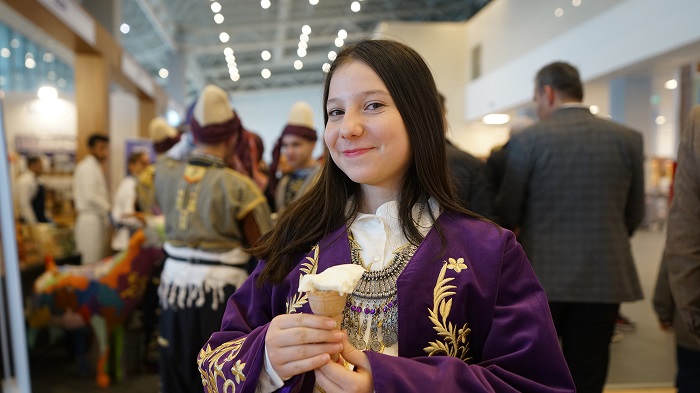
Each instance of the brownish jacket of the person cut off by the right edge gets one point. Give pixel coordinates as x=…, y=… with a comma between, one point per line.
x=683, y=234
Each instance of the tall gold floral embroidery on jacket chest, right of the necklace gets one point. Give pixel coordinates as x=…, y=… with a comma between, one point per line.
x=455, y=341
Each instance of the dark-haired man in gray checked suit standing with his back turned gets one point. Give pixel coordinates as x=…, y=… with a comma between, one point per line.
x=574, y=186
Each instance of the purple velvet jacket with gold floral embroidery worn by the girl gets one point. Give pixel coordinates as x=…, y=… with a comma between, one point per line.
x=481, y=295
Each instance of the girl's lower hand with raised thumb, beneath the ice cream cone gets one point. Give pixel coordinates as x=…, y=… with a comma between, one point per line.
x=333, y=377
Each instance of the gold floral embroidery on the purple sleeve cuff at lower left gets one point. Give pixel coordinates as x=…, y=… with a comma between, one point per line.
x=215, y=366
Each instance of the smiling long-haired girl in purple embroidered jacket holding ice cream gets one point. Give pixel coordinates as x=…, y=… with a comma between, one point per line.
x=448, y=301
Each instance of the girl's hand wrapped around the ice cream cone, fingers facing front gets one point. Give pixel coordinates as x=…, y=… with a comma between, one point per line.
x=297, y=343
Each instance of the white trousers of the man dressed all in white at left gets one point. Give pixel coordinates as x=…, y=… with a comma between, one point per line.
x=91, y=236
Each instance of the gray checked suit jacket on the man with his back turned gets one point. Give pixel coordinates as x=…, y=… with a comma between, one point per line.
x=574, y=185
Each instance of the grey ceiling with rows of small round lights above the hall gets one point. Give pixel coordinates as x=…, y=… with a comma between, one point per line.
x=162, y=29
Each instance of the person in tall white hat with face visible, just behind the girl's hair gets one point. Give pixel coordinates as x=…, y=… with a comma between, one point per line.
x=296, y=144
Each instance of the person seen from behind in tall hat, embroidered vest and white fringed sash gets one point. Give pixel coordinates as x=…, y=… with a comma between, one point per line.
x=211, y=214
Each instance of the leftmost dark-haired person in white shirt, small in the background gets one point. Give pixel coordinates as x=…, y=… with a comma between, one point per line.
x=31, y=194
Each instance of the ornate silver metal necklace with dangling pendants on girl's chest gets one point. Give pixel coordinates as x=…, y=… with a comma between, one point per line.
x=374, y=302
